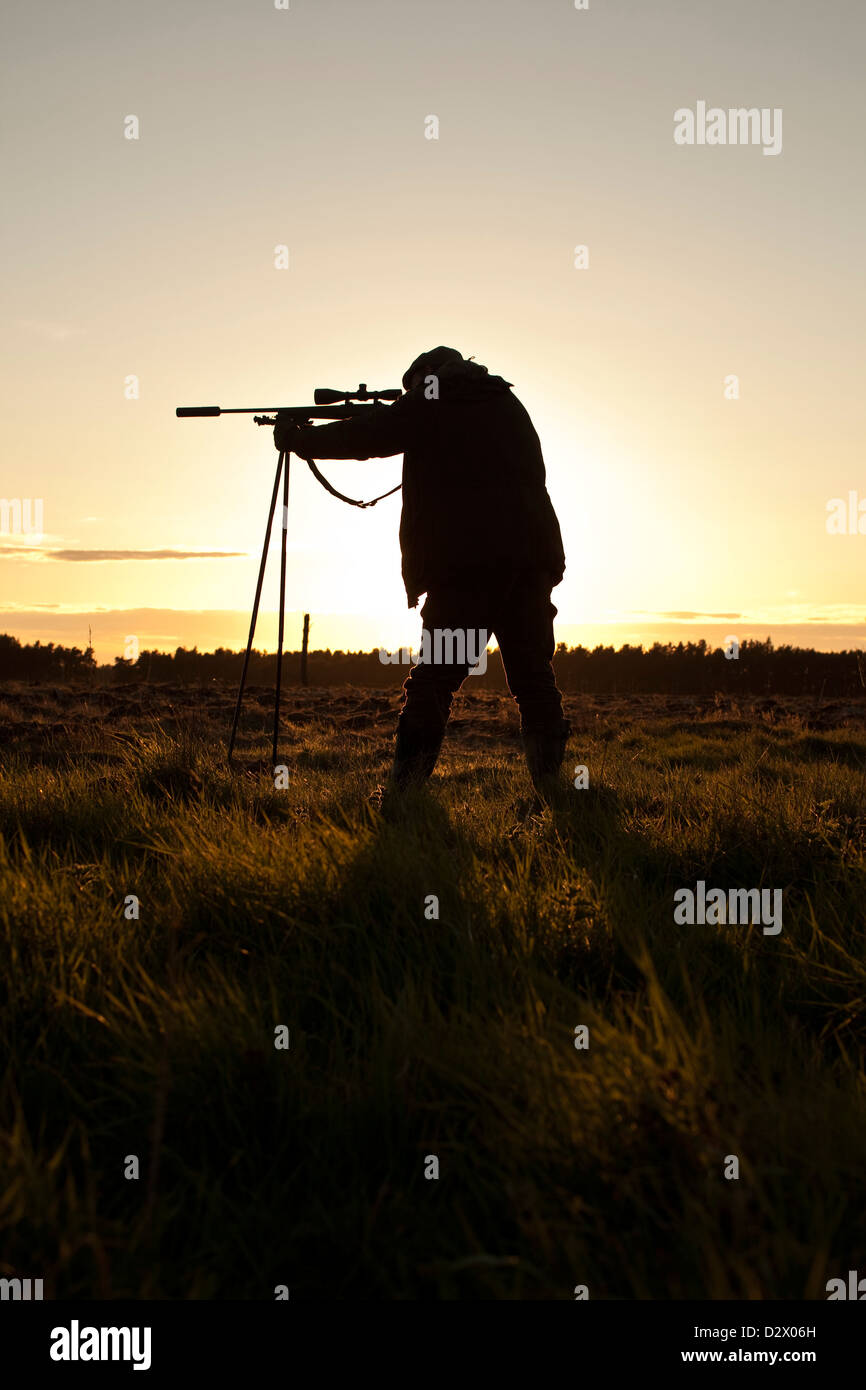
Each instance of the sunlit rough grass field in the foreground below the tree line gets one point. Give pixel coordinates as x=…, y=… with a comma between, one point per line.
x=414, y=1036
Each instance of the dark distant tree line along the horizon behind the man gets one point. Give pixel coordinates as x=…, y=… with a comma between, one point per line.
x=662, y=669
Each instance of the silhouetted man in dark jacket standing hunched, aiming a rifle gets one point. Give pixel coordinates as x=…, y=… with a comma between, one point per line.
x=479, y=537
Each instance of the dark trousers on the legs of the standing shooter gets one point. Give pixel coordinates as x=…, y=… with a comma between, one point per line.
x=516, y=610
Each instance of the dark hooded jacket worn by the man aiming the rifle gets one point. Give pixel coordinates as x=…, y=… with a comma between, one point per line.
x=475, y=494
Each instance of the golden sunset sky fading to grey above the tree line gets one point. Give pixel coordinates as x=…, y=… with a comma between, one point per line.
x=685, y=514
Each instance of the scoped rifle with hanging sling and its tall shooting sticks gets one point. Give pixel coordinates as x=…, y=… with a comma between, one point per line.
x=330, y=405
